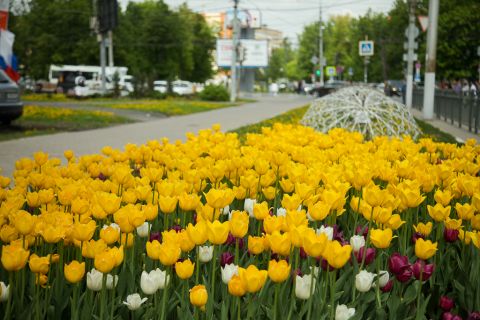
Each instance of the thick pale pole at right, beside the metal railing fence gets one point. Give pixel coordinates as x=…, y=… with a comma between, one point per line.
x=429, y=92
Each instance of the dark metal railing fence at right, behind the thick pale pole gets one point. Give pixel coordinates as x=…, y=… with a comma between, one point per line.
x=460, y=110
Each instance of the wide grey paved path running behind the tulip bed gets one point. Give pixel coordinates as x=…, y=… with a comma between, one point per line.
x=87, y=142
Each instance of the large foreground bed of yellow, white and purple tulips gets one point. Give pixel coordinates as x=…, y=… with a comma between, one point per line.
x=293, y=224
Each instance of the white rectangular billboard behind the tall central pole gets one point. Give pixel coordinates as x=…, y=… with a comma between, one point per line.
x=256, y=53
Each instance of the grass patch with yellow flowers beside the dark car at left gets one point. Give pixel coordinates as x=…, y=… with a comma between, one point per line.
x=46, y=120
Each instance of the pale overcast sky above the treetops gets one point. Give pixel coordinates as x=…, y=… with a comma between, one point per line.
x=288, y=16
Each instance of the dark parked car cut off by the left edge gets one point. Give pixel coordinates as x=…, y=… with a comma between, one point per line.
x=11, y=107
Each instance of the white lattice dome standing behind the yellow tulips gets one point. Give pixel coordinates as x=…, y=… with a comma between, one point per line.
x=362, y=109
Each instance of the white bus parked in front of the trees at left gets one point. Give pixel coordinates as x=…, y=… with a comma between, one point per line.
x=87, y=80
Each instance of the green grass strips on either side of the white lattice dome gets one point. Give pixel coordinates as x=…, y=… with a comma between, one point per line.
x=295, y=115
